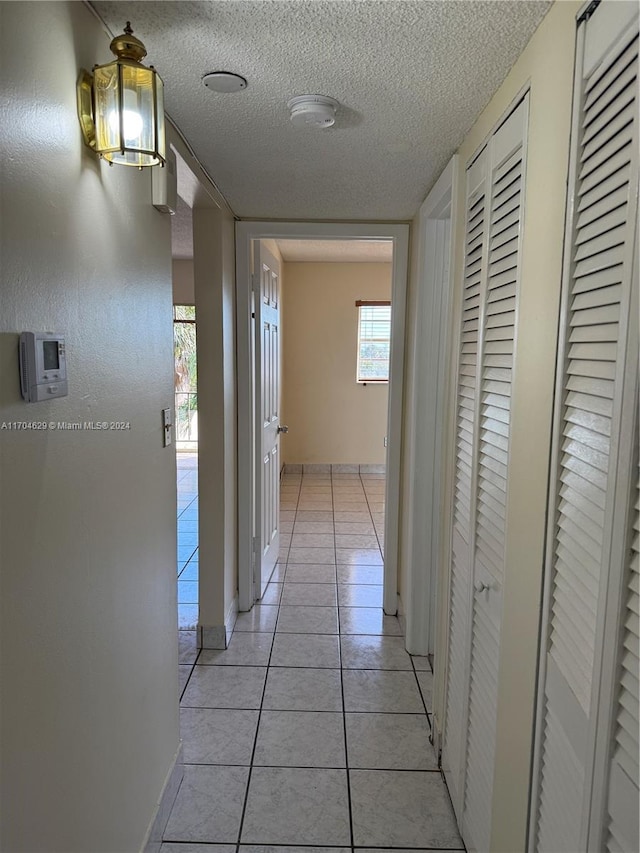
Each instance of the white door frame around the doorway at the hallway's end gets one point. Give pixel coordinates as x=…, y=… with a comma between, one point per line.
x=246, y=233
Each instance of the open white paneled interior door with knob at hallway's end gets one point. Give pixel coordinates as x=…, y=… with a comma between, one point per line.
x=266, y=289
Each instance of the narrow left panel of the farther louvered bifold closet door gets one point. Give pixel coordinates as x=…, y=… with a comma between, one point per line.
x=453, y=751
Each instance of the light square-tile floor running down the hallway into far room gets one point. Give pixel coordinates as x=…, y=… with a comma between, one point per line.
x=312, y=729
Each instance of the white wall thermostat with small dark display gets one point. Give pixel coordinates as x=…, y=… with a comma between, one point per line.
x=43, y=366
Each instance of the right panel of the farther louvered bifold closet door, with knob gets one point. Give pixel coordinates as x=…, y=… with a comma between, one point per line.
x=498, y=317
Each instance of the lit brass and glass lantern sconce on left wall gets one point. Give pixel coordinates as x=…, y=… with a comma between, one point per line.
x=121, y=106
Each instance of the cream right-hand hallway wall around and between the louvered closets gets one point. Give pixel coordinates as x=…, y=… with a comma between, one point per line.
x=546, y=66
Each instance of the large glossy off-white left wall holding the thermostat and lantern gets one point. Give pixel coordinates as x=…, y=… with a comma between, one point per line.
x=89, y=641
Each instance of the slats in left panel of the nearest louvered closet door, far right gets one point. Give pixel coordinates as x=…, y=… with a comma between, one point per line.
x=594, y=314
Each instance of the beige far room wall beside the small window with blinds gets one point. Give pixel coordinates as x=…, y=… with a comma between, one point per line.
x=331, y=418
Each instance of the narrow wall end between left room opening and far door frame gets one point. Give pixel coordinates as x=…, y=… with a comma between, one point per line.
x=214, y=268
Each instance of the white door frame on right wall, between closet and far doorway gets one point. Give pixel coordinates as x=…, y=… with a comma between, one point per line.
x=427, y=381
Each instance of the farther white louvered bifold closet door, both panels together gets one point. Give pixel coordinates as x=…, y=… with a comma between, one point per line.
x=494, y=210
